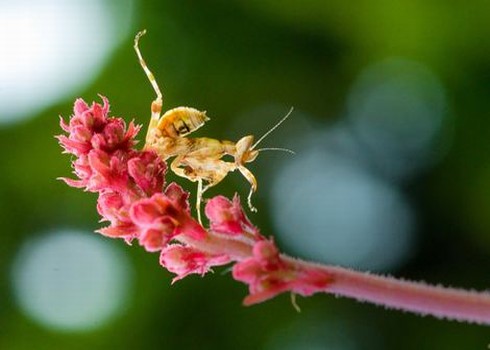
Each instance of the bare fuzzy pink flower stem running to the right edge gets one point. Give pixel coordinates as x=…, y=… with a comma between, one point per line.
x=416, y=297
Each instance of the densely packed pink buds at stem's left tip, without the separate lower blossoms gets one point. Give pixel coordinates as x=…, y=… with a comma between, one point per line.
x=130, y=183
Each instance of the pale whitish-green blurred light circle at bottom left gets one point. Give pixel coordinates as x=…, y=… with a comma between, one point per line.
x=70, y=280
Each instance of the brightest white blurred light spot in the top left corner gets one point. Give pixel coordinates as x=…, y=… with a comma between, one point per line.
x=53, y=48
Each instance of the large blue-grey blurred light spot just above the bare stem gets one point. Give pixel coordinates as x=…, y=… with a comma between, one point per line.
x=328, y=208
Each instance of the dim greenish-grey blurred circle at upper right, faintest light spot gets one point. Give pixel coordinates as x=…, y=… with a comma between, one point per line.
x=397, y=109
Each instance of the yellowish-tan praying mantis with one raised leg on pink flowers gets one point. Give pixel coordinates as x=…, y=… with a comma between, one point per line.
x=197, y=159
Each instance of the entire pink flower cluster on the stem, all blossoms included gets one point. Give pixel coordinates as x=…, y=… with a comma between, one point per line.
x=135, y=200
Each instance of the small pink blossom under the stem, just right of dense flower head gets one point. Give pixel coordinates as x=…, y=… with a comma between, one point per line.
x=183, y=260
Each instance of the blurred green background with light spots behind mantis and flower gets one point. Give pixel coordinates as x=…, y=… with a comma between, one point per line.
x=391, y=172
